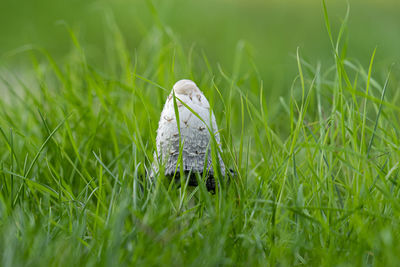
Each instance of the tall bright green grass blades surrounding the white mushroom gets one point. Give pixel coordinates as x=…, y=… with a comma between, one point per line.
x=317, y=172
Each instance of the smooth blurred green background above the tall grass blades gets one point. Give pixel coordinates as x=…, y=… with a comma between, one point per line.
x=272, y=30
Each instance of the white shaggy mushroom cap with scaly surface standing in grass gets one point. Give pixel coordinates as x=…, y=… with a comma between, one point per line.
x=194, y=133
